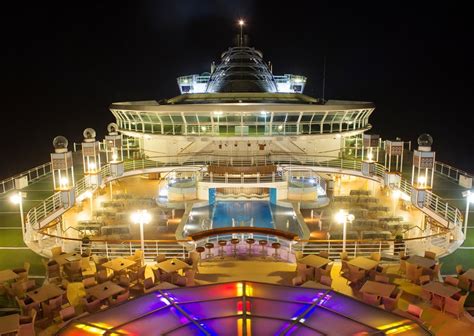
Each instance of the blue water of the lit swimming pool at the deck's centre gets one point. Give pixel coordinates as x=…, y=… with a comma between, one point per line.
x=242, y=211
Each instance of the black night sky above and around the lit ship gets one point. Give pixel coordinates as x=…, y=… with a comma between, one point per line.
x=63, y=66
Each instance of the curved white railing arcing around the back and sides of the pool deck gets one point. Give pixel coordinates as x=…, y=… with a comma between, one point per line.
x=48, y=207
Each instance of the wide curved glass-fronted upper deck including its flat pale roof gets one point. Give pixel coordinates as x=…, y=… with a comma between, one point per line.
x=243, y=114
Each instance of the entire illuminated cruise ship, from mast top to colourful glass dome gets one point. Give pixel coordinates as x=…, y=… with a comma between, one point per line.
x=201, y=213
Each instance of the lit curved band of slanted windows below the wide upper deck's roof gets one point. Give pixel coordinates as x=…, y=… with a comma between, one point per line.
x=259, y=120
